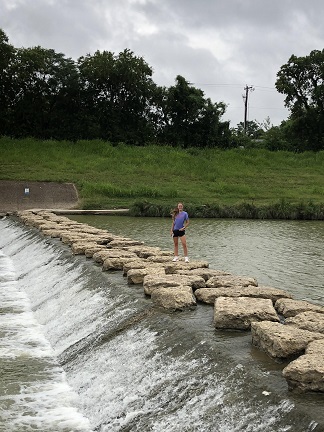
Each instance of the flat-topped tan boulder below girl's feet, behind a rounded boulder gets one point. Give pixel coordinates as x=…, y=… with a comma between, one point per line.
x=151, y=283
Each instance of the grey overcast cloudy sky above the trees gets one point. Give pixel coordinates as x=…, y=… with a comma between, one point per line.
x=221, y=46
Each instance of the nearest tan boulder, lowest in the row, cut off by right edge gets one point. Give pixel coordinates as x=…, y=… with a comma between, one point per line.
x=307, y=372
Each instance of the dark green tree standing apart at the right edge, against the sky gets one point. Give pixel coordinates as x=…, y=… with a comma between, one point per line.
x=301, y=79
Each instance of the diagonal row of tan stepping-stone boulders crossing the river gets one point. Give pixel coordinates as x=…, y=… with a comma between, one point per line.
x=284, y=328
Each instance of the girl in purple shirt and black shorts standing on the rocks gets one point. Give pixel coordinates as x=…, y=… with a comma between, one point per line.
x=180, y=221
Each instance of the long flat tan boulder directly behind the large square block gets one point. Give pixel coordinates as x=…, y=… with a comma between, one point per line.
x=209, y=295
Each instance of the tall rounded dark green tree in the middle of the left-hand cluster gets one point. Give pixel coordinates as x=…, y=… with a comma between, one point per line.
x=118, y=92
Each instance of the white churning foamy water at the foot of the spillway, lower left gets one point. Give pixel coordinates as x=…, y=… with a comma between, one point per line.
x=34, y=394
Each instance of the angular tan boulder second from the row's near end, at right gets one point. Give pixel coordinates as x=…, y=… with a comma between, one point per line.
x=281, y=341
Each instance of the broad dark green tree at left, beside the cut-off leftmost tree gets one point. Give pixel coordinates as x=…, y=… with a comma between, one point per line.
x=45, y=94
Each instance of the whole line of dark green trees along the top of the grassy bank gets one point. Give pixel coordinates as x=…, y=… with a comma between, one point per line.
x=45, y=95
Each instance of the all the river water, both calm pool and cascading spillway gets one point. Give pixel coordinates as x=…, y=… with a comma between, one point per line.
x=80, y=350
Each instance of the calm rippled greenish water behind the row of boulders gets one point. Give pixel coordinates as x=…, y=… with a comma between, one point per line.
x=281, y=254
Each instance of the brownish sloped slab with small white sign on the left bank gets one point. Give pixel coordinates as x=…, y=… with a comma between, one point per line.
x=21, y=195
